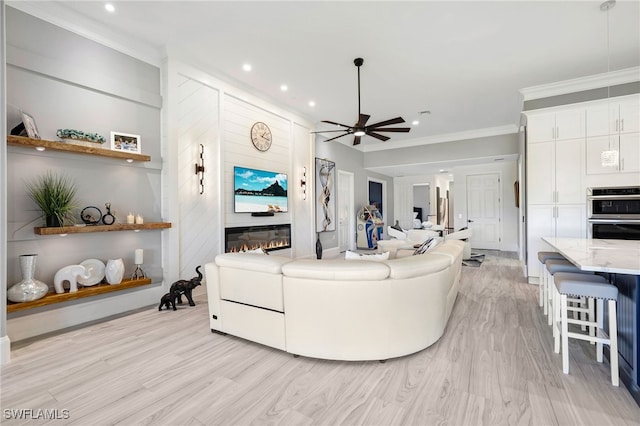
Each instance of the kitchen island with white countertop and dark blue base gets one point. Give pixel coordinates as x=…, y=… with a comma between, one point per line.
x=619, y=261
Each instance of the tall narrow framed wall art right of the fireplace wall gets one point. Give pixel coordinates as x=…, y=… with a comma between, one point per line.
x=325, y=196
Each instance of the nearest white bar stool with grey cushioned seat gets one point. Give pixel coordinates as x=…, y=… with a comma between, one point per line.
x=592, y=287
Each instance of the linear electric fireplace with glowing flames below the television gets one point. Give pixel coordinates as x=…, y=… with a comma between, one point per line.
x=269, y=237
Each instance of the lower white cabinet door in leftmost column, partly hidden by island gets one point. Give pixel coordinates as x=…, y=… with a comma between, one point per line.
x=540, y=223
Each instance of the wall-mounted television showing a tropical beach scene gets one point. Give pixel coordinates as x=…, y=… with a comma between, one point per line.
x=257, y=191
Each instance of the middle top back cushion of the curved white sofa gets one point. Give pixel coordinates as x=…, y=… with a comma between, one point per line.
x=336, y=269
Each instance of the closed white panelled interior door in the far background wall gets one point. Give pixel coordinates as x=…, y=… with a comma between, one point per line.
x=483, y=210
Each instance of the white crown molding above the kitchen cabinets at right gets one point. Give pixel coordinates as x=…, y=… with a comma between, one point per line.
x=613, y=78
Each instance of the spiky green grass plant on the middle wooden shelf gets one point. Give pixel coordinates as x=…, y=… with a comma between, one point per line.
x=55, y=195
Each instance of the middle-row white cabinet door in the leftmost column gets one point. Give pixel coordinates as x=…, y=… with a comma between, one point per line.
x=540, y=172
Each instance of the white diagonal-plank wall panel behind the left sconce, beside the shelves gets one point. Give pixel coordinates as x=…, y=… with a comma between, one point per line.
x=198, y=123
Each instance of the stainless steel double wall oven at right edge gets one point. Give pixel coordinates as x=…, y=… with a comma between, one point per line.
x=614, y=212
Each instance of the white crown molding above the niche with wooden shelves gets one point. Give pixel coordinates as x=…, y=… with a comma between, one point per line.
x=63, y=17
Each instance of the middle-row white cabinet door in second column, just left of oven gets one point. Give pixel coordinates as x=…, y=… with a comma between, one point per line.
x=569, y=171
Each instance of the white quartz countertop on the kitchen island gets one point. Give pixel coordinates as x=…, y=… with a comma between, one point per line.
x=614, y=256
